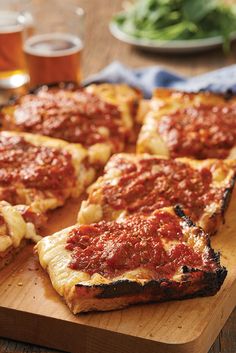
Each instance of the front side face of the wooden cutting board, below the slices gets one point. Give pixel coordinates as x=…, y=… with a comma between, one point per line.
x=93, y=338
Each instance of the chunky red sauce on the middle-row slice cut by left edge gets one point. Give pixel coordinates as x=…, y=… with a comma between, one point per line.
x=34, y=166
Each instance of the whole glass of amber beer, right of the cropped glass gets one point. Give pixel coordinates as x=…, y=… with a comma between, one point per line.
x=54, y=42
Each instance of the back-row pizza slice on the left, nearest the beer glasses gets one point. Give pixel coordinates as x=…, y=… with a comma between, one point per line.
x=99, y=117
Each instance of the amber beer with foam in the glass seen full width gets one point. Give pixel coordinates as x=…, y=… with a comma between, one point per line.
x=53, y=57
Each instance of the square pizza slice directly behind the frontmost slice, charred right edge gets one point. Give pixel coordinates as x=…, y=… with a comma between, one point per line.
x=143, y=183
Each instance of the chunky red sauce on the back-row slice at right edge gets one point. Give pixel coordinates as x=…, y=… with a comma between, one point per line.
x=204, y=131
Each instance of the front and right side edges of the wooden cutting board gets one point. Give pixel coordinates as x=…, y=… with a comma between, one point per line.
x=32, y=322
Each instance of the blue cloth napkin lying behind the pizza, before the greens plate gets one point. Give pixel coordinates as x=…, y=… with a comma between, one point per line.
x=147, y=78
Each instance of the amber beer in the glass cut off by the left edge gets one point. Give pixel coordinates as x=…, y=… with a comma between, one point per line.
x=11, y=55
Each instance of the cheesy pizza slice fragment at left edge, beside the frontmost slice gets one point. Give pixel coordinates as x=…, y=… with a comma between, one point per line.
x=17, y=224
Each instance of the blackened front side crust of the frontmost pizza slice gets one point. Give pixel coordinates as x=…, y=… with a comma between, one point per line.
x=123, y=293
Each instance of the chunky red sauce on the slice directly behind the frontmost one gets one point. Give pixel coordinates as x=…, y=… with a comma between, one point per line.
x=154, y=183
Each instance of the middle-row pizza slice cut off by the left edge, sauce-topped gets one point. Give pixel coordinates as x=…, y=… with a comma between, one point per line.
x=41, y=172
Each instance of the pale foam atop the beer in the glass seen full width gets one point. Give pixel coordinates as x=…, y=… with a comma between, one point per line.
x=53, y=44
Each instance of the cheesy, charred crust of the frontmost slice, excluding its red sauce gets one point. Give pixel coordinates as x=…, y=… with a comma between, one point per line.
x=84, y=290
